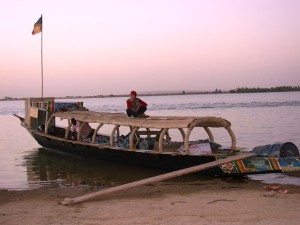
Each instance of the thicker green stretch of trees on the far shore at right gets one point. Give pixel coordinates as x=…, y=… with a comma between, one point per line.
x=272, y=89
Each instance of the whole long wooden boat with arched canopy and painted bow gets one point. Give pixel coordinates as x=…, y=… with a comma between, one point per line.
x=147, y=141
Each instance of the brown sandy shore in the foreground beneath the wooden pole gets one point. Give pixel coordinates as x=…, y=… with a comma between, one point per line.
x=213, y=201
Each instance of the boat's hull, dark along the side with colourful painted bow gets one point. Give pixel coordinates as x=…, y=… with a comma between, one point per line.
x=166, y=161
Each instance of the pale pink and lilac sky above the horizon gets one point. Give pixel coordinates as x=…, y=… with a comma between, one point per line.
x=105, y=47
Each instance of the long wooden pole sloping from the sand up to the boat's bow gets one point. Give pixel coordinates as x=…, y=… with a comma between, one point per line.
x=69, y=201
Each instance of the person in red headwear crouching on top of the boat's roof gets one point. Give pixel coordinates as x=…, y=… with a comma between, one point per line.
x=135, y=106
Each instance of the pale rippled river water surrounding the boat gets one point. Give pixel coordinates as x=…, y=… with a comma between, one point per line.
x=256, y=118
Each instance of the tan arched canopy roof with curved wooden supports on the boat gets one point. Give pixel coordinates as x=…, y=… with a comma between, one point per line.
x=153, y=122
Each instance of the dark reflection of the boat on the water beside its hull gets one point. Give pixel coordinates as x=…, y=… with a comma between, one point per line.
x=48, y=168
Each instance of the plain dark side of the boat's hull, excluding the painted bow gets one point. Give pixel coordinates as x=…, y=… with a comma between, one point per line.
x=155, y=160
